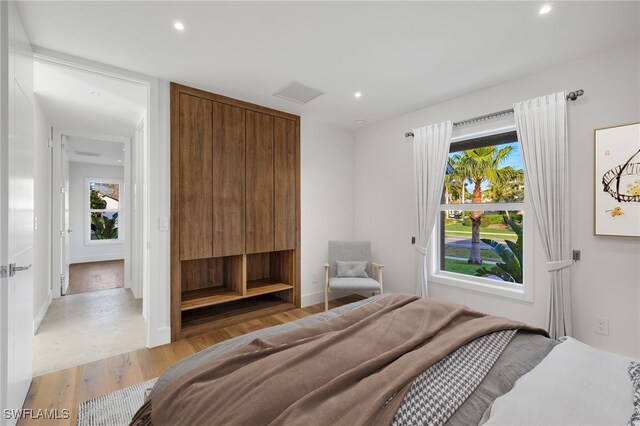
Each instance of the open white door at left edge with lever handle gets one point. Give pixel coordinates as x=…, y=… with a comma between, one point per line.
x=16, y=212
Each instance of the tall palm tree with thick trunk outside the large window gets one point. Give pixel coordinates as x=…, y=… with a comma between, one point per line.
x=483, y=165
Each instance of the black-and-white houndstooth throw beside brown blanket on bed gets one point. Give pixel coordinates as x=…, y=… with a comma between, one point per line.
x=438, y=392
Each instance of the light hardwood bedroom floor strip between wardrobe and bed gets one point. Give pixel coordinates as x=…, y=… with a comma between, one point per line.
x=66, y=389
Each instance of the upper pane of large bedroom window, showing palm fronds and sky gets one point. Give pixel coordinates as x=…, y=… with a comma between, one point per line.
x=486, y=174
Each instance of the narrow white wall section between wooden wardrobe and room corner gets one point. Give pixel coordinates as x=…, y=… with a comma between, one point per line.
x=327, y=199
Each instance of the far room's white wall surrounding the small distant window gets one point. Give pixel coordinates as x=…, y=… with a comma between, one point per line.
x=79, y=251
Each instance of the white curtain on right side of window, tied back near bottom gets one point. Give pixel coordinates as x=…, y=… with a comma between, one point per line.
x=542, y=130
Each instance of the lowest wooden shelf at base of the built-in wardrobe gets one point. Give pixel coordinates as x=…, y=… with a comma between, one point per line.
x=199, y=321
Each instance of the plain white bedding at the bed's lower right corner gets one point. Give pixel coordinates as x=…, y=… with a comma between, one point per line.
x=574, y=385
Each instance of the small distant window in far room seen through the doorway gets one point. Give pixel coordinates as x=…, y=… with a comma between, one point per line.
x=104, y=206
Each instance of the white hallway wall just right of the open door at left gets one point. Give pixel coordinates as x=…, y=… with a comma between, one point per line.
x=42, y=216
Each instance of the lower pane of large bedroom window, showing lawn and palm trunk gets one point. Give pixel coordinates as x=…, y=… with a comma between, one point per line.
x=483, y=244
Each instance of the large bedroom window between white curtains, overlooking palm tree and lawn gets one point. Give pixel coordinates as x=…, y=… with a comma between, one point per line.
x=481, y=240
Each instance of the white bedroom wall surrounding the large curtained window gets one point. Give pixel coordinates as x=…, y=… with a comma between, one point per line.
x=607, y=280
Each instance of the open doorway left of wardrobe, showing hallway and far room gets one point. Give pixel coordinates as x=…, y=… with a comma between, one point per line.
x=97, y=285
